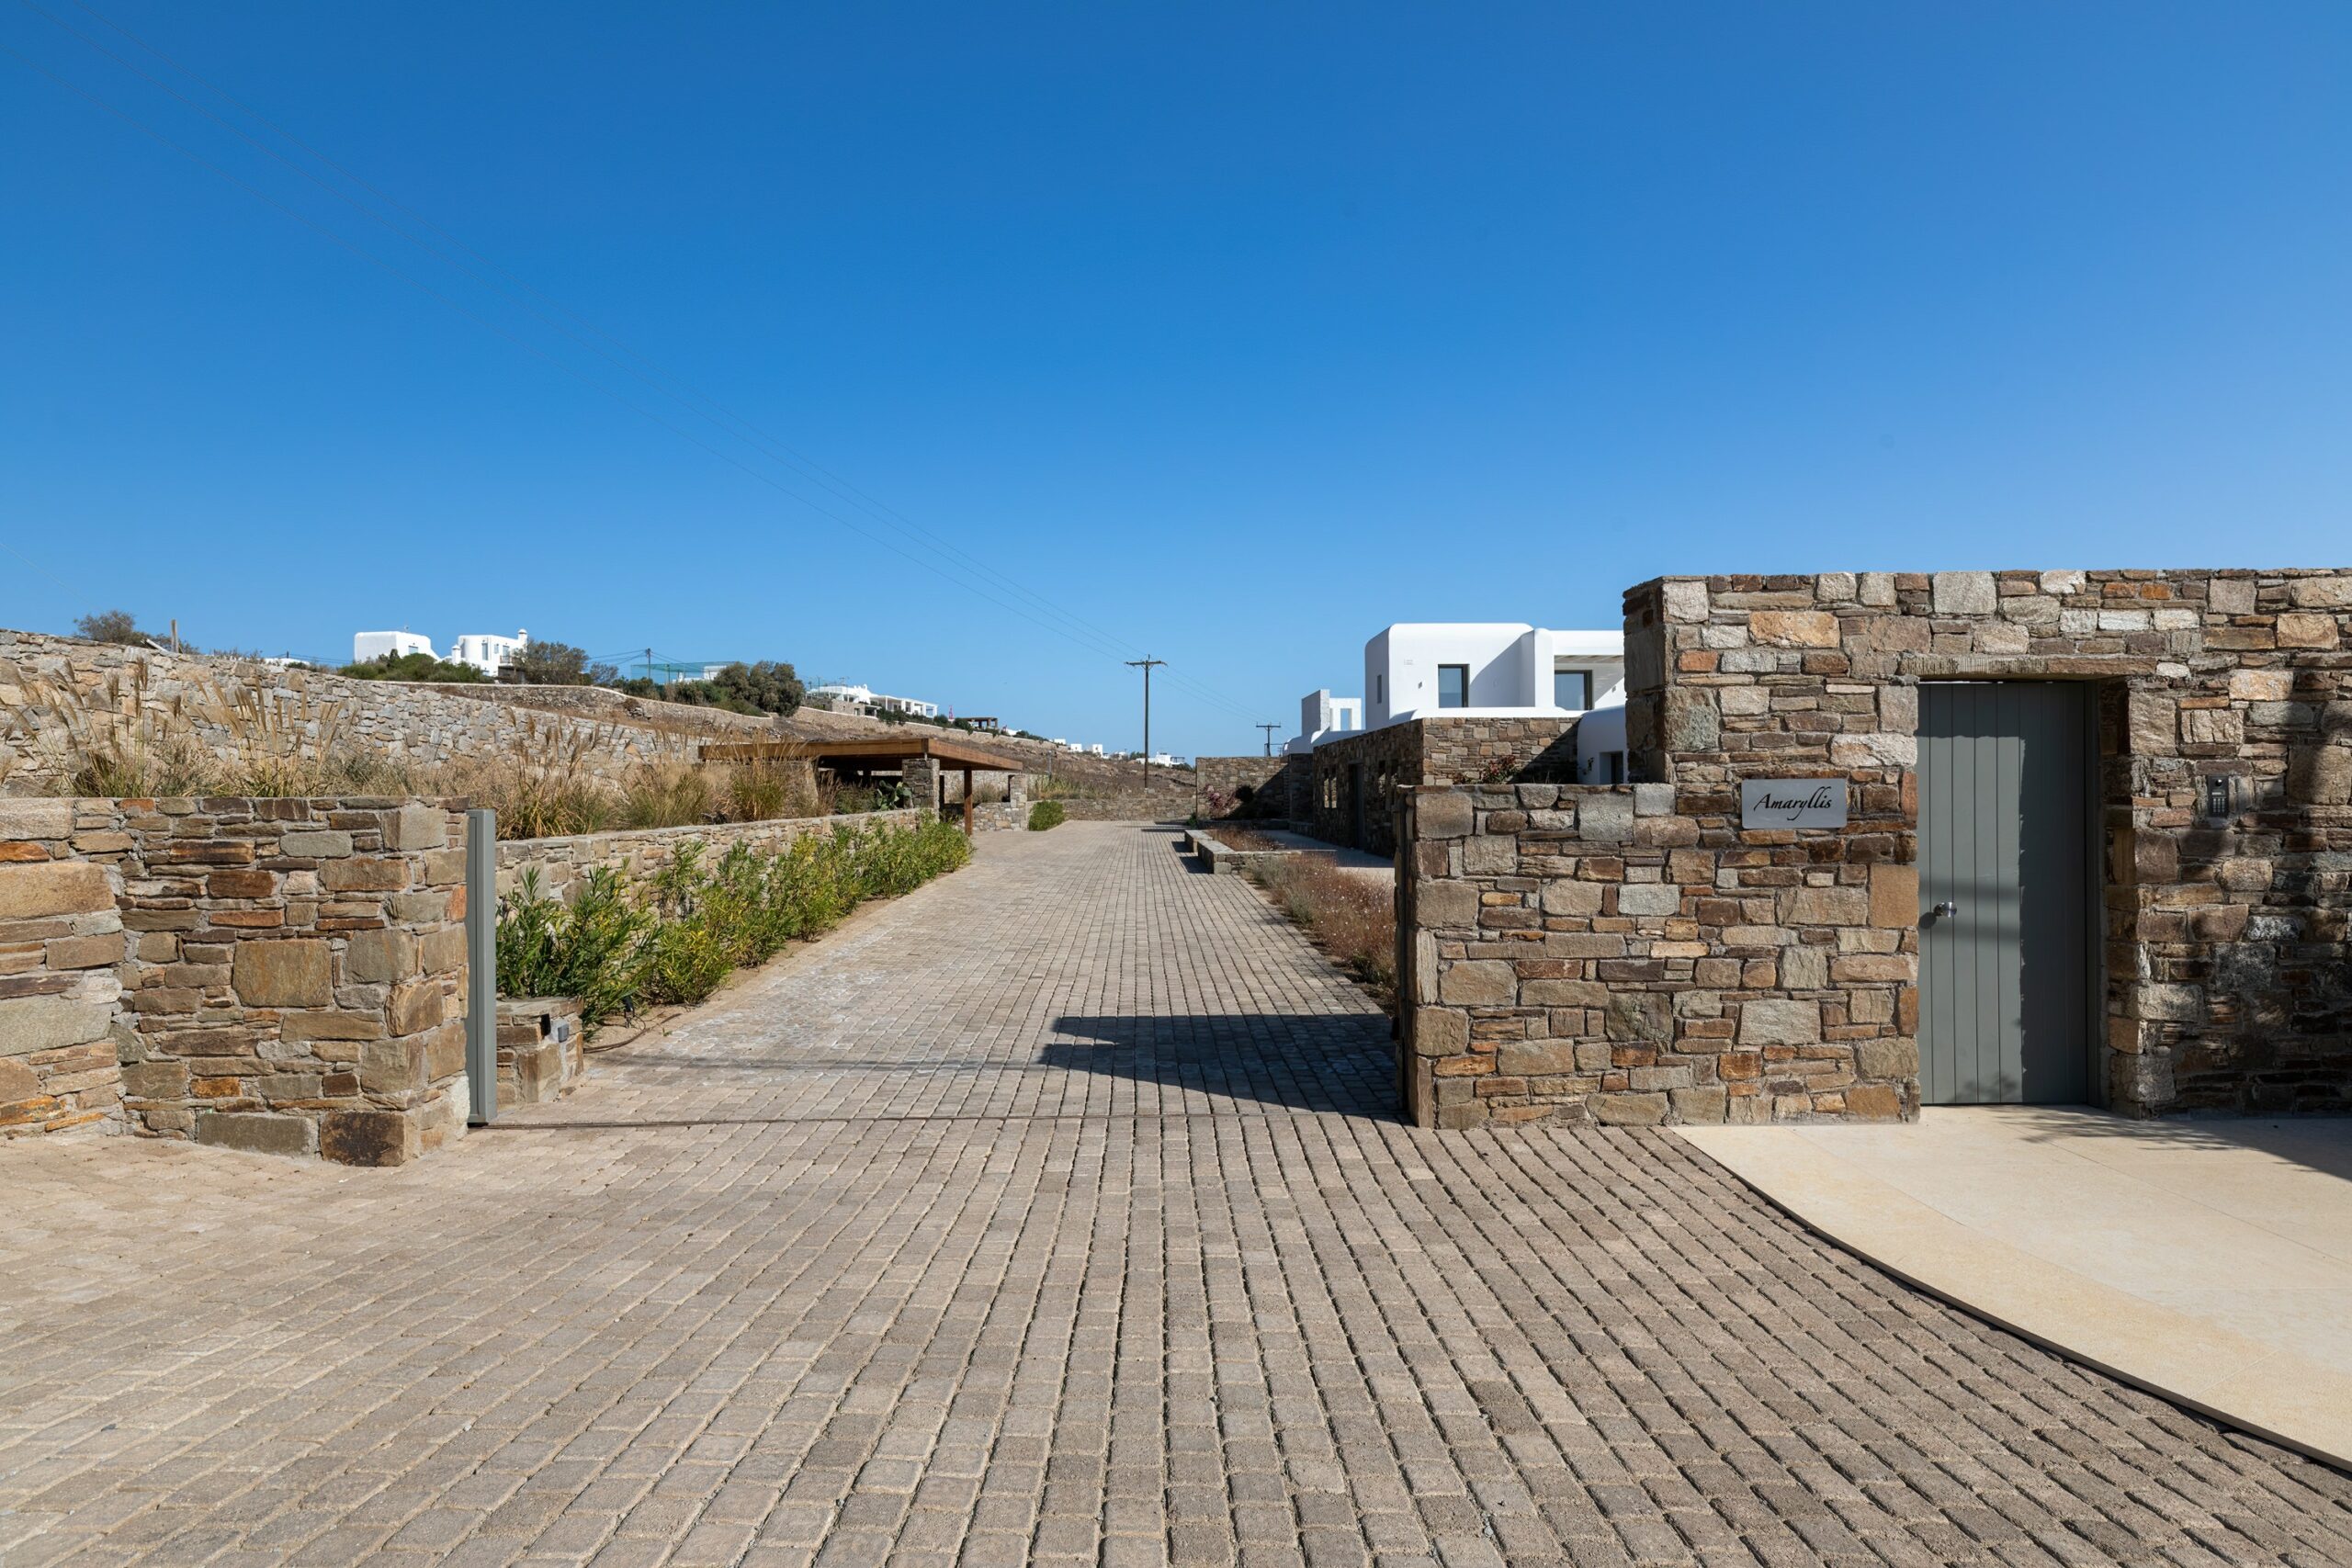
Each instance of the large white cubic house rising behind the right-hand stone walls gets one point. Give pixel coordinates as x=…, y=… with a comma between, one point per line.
x=1490, y=671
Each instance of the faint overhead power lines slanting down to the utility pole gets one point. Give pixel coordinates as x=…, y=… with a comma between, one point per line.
x=1076, y=629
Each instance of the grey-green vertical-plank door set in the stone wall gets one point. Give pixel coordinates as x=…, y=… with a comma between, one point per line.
x=2005, y=892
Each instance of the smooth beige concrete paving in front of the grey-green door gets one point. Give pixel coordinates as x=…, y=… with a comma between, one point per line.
x=2207, y=1261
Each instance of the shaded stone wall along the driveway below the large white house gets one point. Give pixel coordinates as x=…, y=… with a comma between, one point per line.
x=1424, y=753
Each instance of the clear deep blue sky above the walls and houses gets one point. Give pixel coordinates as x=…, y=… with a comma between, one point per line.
x=1236, y=330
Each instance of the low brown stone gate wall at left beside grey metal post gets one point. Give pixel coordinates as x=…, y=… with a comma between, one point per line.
x=288, y=972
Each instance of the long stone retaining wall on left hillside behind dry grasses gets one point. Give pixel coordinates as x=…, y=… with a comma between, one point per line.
x=62, y=697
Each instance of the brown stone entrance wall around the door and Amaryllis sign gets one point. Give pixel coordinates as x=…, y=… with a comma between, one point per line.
x=2224, y=932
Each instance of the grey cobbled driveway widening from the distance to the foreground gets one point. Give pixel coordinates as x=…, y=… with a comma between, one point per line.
x=1053, y=1214
